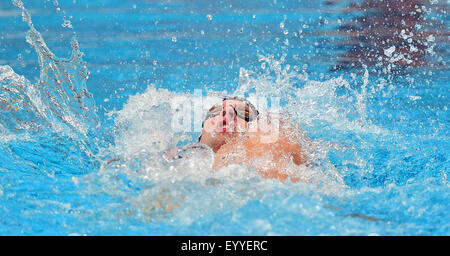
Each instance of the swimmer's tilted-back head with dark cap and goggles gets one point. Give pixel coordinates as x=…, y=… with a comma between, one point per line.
x=227, y=120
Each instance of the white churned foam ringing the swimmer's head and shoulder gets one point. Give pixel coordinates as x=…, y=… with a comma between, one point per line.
x=181, y=190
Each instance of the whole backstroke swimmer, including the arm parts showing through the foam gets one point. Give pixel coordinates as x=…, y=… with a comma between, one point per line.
x=234, y=132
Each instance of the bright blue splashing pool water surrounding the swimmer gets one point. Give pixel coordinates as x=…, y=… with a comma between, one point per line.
x=83, y=82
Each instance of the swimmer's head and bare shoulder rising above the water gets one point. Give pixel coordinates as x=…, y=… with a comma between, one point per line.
x=236, y=133
